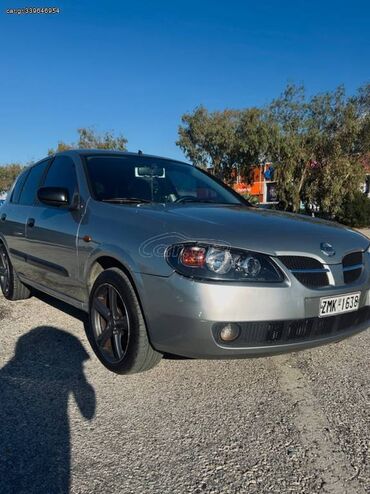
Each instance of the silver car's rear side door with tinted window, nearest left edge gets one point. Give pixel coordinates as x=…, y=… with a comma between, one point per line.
x=16, y=211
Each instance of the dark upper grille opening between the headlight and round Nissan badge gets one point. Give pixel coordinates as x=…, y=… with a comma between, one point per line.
x=309, y=271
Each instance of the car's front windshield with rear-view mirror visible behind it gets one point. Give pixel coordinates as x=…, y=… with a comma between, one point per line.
x=124, y=179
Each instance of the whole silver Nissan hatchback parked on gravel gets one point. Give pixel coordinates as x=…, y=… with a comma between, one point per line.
x=165, y=259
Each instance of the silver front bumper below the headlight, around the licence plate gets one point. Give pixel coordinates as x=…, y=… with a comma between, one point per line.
x=184, y=316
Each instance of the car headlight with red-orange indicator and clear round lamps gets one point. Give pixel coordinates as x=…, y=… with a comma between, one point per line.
x=222, y=263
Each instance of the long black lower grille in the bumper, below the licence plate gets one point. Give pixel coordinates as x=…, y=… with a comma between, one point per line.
x=262, y=333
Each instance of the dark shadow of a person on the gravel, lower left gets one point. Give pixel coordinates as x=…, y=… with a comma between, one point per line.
x=35, y=386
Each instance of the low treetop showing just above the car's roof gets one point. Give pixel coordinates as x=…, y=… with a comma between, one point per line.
x=89, y=139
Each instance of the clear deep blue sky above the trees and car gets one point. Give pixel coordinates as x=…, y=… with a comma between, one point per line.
x=136, y=66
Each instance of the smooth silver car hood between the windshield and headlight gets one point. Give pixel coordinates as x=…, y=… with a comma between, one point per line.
x=270, y=232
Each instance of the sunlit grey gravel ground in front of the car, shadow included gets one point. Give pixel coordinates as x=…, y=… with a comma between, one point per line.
x=294, y=423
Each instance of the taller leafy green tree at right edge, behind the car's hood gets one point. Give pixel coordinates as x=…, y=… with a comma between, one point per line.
x=318, y=148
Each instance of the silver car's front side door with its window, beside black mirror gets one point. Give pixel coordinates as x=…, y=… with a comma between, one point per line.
x=51, y=233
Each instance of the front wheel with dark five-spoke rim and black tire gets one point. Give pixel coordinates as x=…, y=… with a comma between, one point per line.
x=116, y=327
